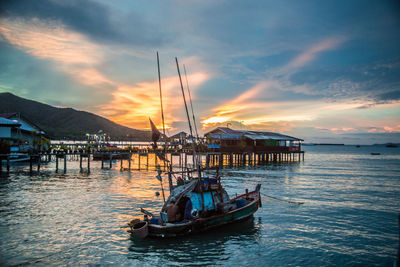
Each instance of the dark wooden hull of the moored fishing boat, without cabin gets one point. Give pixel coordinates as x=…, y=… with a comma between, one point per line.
x=203, y=224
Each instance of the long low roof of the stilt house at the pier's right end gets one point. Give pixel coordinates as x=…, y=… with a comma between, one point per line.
x=231, y=134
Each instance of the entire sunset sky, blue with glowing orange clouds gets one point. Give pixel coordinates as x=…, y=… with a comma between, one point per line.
x=324, y=71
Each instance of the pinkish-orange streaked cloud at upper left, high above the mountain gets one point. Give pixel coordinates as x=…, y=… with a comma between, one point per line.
x=70, y=52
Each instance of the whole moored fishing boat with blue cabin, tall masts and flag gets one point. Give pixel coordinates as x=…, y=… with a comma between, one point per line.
x=198, y=202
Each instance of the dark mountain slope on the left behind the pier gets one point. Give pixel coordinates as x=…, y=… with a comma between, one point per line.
x=67, y=123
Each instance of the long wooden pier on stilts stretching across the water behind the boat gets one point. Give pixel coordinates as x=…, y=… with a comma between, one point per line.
x=143, y=160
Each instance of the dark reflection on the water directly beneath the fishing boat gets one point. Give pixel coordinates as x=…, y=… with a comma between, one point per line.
x=211, y=247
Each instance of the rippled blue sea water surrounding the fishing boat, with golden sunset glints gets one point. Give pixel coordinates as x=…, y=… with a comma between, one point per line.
x=349, y=216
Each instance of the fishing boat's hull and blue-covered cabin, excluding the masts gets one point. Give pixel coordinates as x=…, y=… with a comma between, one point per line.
x=210, y=208
